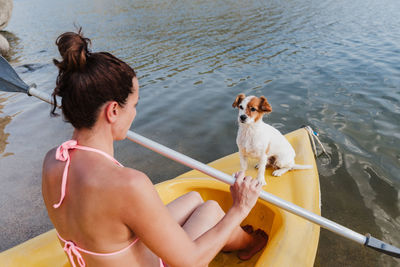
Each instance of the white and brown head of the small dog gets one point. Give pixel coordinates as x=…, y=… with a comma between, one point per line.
x=251, y=108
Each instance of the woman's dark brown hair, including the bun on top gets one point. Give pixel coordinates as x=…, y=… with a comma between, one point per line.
x=88, y=80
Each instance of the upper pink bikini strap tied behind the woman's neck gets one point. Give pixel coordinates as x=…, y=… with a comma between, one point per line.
x=62, y=154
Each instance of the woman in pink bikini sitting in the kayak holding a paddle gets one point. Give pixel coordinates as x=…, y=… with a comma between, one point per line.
x=109, y=215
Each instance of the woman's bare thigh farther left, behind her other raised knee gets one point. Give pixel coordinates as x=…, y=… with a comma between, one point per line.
x=182, y=207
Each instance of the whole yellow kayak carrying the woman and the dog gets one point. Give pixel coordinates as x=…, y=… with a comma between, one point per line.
x=292, y=241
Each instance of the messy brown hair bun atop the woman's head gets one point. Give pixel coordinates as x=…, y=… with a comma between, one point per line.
x=73, y=48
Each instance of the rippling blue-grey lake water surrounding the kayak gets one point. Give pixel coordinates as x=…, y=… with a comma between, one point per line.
x=333, y=65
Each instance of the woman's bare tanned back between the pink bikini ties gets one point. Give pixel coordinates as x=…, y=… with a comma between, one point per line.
x=90, y=214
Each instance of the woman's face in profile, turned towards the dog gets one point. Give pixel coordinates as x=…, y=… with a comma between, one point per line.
x=128, y=112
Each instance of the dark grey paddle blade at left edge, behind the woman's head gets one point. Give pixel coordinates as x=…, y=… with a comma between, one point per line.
x=9, y=79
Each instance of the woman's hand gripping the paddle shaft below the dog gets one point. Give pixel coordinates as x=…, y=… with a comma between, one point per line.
x=245, y=192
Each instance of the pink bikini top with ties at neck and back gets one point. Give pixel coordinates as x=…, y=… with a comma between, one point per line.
x=70, y=248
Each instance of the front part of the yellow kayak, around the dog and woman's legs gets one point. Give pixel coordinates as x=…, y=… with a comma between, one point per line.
x=293, y=241
